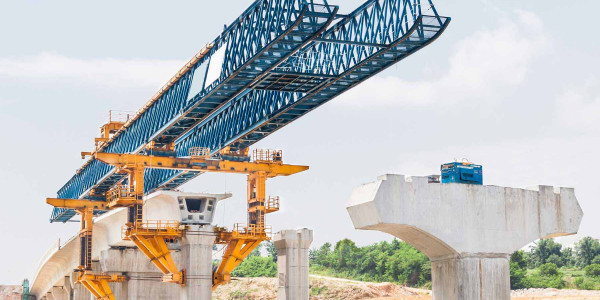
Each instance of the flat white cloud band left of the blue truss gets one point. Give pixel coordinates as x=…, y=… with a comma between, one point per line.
x=103, y=72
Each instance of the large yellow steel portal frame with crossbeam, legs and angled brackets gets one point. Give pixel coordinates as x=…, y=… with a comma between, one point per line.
x=240, y=242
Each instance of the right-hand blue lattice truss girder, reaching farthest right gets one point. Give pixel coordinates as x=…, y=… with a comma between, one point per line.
x=372, y=38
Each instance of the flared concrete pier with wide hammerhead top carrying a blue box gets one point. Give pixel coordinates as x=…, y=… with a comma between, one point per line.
x=467, y=231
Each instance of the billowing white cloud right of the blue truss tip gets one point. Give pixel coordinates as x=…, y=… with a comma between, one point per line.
x=483, y=65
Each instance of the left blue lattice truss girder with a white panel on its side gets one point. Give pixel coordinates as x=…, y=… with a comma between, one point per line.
x=264, y=36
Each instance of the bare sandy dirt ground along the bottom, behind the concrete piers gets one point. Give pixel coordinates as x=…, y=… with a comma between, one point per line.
x=333, y=288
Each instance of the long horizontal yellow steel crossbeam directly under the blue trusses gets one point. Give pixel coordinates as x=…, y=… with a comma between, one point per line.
x=129, y=161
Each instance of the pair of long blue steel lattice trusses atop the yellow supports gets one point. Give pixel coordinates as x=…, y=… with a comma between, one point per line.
x=283, y=59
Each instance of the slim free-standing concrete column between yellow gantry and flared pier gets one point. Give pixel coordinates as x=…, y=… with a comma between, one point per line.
x=292, y=263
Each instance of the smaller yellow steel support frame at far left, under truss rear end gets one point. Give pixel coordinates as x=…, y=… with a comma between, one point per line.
x=96, y=284
